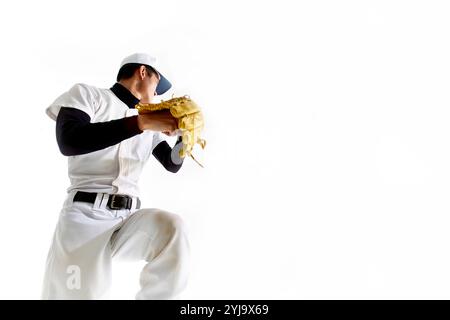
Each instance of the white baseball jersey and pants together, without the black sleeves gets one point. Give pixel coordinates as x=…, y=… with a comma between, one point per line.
x=89, y=235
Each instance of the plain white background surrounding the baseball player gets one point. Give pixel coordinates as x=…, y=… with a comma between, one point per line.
x=327, y=165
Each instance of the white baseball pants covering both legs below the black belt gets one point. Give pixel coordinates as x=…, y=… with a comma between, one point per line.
x=88, y=236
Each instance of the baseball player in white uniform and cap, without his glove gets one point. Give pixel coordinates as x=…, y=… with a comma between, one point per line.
x=107, y=144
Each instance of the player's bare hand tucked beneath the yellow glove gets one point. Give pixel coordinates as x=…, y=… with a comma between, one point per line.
x=161, y=121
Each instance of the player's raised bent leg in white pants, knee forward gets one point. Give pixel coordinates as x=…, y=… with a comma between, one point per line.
x=158, y=237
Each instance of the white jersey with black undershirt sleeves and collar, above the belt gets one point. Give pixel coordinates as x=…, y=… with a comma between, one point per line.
x=97, y=130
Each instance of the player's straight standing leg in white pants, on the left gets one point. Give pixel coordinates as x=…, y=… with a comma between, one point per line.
x=79, y=260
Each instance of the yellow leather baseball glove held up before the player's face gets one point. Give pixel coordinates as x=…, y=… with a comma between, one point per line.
x=190, y=120
